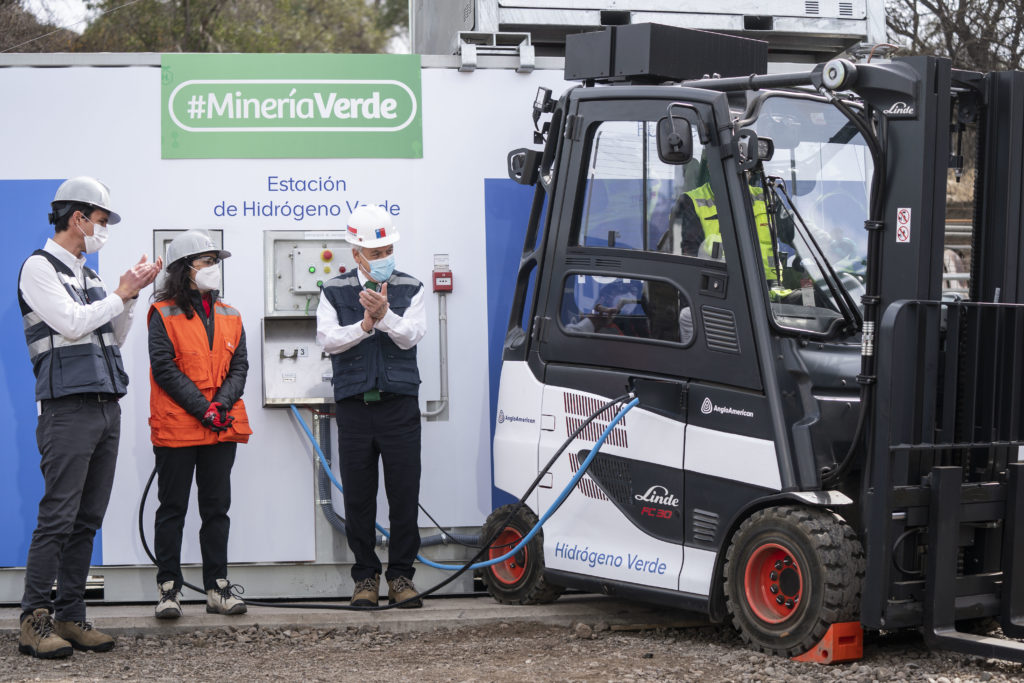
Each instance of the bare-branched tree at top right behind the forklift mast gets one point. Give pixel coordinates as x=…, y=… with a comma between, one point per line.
x=978, y=35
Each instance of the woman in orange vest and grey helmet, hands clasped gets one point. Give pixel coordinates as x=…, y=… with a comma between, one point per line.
x=199, y=367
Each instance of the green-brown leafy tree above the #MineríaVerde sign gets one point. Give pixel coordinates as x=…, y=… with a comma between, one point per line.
x=245, y=26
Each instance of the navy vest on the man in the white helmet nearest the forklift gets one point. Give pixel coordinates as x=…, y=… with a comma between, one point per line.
x=376, y=363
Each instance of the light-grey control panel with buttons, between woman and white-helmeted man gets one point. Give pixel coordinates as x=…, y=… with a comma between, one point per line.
x=297, y=265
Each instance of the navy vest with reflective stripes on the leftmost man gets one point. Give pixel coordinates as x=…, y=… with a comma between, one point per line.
x=64, y=367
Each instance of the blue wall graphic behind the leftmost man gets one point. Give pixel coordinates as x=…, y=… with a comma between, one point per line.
x=26, y=205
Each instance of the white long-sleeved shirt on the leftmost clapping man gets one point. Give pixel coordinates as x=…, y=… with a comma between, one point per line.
x=46, y=294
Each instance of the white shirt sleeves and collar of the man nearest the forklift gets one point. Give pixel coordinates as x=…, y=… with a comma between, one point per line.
x=406, y=330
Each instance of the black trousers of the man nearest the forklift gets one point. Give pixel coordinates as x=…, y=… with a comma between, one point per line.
x=388, y=432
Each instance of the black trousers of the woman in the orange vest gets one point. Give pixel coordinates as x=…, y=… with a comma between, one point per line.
x=212, y=467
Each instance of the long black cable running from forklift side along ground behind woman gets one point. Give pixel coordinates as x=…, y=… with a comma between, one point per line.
x=239, y=590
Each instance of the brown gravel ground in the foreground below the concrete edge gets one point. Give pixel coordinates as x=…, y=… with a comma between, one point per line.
x=498, y=653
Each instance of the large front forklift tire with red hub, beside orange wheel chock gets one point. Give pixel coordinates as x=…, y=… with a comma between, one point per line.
x=790, y=574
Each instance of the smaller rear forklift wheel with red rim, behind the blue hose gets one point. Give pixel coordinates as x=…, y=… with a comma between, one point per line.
x=519, y=580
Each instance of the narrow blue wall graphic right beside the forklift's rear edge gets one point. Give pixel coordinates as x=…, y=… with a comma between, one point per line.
x=506, y=215
